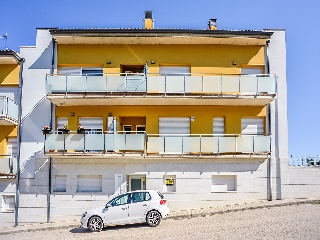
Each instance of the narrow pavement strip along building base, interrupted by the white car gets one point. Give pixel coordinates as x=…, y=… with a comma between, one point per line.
x=184, y=214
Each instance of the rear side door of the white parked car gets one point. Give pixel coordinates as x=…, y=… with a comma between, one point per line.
x=140, y=202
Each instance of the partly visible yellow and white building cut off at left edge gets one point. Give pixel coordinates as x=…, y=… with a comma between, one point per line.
x=10, y=82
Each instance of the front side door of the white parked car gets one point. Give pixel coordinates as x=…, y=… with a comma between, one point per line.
x=118, y=210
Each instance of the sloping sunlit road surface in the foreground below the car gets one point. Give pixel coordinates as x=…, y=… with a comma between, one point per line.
x=288, y=222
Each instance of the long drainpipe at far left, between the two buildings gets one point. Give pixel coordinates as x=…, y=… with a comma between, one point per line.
x=17, y=197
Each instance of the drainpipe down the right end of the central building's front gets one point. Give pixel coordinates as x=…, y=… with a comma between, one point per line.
x=269, y=182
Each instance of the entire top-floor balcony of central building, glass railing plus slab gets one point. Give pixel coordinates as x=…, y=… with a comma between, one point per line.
x=151, y=89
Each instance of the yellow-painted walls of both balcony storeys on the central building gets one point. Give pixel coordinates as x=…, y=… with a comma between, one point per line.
x=202, y=59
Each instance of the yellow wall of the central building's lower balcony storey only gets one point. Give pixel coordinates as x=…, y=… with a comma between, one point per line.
x=202, y=124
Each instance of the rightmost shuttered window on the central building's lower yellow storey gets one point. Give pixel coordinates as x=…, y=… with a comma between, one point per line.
x=252, y=126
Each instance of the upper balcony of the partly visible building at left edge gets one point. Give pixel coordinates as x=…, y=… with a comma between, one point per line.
x=8, y=111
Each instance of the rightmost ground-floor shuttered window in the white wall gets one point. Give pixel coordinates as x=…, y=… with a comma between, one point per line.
x=224, y=183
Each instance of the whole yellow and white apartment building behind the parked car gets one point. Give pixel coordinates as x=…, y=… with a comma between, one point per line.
x=193, y=113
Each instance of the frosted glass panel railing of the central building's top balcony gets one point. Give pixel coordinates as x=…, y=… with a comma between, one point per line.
x=151, y=84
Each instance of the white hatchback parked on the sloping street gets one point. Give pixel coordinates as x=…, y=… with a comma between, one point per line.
x=131, y=207
